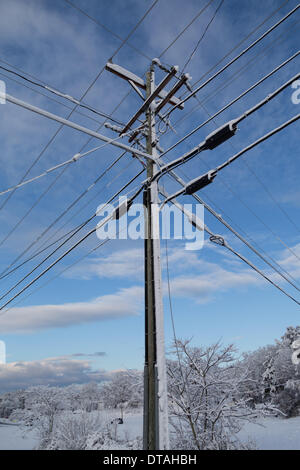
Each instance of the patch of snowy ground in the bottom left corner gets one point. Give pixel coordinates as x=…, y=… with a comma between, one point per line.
x=13, y=437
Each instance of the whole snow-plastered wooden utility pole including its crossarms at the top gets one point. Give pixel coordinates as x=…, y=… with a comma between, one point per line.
x=155, y=424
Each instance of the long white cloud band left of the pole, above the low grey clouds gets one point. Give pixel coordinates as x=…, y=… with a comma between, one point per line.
x=126, y=302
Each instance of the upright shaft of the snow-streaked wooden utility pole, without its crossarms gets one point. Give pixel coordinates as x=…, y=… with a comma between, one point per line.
x=156, y=435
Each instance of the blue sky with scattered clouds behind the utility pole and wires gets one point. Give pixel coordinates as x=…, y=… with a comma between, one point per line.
x=85, y=321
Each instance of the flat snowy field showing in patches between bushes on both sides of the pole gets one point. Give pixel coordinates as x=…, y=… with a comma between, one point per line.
x=268, y=433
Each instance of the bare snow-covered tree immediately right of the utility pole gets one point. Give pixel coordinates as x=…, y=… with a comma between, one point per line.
x=206, y=406
